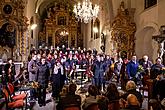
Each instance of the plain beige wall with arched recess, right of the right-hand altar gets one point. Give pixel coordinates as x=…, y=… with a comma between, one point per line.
x=148, y=22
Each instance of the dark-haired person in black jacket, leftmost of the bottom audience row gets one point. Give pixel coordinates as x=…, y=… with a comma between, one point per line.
x=70, y=99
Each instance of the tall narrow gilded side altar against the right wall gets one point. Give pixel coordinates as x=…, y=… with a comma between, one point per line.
x=123, y=30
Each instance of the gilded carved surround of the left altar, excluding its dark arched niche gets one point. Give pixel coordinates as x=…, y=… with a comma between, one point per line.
x=12, y=12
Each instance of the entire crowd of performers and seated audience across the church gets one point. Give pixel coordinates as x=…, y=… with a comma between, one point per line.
x=58, y=67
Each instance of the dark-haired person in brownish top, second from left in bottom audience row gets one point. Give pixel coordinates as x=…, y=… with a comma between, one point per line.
x=91, y=99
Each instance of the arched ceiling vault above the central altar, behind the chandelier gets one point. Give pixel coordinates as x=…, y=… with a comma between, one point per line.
x=41, y=6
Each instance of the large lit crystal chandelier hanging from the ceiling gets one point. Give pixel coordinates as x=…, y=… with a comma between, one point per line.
x=85, y=11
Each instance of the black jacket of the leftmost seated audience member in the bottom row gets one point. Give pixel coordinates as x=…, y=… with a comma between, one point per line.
x=69, y=99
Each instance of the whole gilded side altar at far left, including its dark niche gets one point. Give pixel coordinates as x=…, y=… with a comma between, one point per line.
x=13, y=26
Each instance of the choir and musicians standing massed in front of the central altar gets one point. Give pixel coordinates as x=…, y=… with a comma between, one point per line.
x=59, y=67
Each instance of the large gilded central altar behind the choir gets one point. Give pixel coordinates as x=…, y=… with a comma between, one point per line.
x=61, y=27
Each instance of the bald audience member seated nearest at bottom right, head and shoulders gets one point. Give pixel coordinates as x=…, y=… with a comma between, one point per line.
x=132, y=103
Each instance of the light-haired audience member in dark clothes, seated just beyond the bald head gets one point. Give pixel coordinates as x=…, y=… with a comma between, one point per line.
x=131, y=89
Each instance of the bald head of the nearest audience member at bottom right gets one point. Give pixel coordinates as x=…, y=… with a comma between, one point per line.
x=132, y=100
